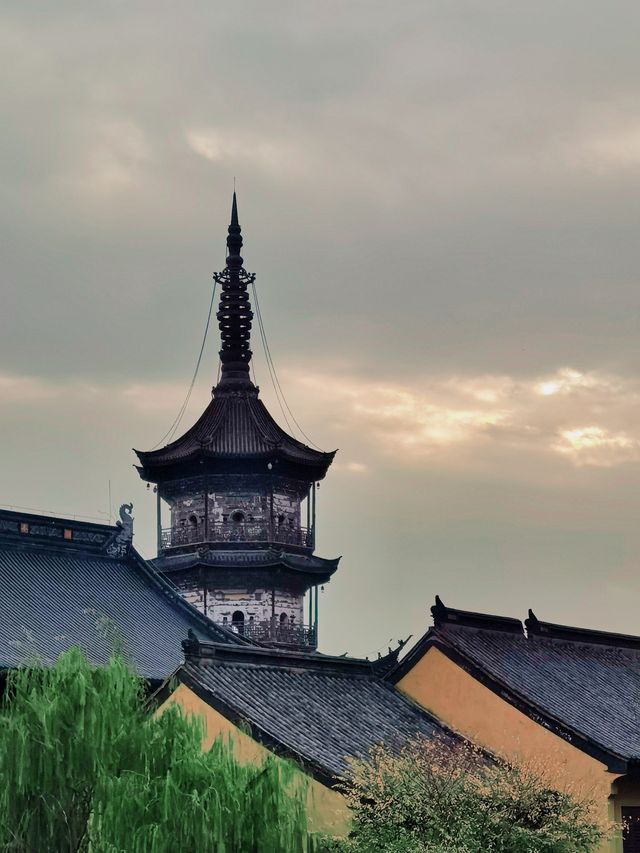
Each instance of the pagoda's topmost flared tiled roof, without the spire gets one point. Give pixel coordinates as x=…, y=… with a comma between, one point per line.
x=235, y=426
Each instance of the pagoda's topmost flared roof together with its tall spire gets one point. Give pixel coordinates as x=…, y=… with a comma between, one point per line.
x=236, y=424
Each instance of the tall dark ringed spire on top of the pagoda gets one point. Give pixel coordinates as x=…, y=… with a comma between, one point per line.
x=234, y=313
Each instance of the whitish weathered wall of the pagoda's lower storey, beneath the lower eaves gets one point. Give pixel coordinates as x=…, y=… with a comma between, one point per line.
x=255, y=603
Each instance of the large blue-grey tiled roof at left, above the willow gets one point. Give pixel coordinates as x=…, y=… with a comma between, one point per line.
x=92, y=590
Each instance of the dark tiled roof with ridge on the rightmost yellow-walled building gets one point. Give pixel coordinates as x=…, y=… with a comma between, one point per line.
x=582, y=684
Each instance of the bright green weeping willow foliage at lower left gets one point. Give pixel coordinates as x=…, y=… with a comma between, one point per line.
x=86, y=768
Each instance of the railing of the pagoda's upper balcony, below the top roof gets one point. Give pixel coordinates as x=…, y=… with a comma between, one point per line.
x=233, y=532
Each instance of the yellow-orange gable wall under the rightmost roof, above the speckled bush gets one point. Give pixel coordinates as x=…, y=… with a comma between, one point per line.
x=468, y=707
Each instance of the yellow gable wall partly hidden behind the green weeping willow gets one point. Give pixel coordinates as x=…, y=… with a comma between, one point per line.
x=326, y=808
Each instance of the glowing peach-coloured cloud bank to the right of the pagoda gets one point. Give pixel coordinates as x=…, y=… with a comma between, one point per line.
x=588, y=418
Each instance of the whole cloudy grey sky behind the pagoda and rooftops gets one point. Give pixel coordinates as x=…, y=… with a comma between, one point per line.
x=441, y=200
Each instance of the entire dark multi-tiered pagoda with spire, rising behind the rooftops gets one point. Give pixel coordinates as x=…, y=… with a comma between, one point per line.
x=241, y=495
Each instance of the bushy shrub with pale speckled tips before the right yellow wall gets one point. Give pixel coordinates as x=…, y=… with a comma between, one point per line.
x=438, y=798
